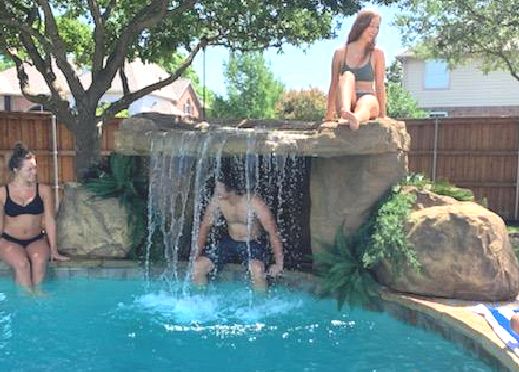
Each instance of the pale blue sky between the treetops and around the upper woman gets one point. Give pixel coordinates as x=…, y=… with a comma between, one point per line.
x=297, y=68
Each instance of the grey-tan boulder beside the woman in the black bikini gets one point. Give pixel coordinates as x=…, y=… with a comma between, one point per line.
x=89, y=226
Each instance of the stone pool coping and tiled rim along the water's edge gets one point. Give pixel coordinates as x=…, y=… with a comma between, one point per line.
x=453, y=319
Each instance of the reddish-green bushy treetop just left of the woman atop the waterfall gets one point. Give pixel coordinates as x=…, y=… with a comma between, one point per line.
x=304, y=104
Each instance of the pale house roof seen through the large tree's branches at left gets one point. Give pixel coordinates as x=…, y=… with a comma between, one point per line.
x=139, y=75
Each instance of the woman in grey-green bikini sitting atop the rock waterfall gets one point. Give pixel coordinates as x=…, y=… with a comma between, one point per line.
x=357, y=92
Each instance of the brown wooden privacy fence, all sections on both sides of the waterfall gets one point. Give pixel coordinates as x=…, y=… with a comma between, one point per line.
x=477, y=153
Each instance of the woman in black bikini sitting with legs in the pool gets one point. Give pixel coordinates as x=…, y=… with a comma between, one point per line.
x=25, y=207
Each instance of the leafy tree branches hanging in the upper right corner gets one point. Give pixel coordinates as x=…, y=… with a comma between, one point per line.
x=458, y=30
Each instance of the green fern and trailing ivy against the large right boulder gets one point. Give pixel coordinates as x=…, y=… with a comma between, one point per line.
x=345, y=266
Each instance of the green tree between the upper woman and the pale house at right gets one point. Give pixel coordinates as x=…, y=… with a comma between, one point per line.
x=400, y=103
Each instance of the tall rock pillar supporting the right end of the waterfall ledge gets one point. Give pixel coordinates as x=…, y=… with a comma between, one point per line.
x=344, y=188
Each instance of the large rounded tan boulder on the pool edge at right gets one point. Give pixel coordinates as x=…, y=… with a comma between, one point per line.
x=464, y=251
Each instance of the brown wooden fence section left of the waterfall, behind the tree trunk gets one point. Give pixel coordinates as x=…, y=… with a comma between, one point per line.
x=35, y=131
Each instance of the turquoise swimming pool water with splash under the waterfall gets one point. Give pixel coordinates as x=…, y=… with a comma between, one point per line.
x=118, y=325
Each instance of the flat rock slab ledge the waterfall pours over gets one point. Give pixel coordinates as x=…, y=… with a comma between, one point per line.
x=280, y=137
